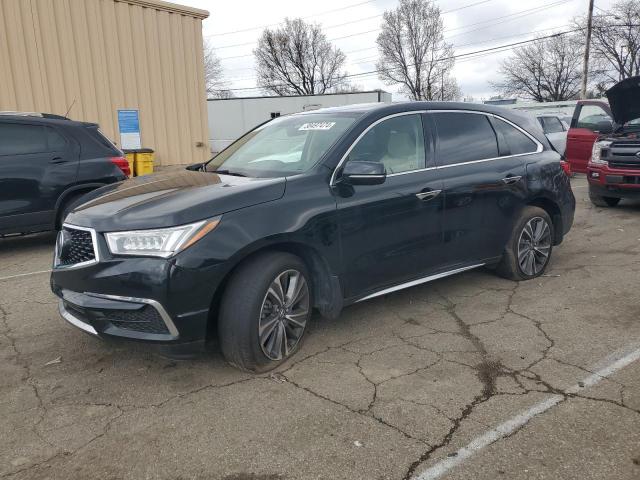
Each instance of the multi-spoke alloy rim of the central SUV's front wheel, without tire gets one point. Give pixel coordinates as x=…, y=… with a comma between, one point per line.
x=284, y=313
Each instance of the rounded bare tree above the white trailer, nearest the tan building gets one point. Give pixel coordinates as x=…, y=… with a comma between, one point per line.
x=297, y=59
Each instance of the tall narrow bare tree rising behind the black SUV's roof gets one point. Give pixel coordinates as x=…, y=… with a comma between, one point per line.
x=414, y=53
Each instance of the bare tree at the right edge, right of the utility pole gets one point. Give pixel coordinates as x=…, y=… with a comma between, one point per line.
x=615, y=42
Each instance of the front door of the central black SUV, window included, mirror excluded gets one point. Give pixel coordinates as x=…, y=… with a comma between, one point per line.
x=391, y=232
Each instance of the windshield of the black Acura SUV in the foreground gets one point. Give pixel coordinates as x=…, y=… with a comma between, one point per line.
x=285, y=146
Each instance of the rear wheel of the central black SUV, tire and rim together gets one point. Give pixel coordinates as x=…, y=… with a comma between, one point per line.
x=529, y=249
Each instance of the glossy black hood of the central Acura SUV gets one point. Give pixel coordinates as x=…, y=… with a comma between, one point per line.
x=166, y=200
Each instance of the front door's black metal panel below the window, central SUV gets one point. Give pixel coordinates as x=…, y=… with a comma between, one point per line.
x=388, y=233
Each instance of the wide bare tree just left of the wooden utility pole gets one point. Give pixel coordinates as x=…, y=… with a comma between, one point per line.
x=547, y=70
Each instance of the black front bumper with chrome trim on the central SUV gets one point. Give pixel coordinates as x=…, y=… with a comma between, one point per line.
x=138, y=298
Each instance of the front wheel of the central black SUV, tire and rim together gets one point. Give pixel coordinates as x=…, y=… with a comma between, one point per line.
x=265, y=311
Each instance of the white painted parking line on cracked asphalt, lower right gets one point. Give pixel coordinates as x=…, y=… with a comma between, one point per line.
x=511, y=425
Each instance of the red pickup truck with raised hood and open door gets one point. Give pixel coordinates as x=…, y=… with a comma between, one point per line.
x=604, y=143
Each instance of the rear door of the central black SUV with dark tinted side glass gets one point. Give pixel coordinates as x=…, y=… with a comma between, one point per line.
x=484, y=183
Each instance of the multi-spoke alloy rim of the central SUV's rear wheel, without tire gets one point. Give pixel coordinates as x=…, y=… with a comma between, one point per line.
x=534, y=246
